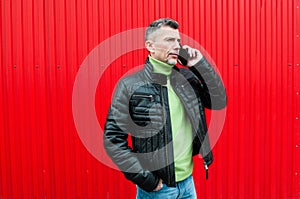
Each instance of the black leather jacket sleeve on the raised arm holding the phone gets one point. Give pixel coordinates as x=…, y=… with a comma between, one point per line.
x=213, y=93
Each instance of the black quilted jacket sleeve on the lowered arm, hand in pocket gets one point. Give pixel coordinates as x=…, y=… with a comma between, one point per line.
x=116, y=131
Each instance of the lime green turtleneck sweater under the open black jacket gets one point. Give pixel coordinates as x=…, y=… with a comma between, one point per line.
x=181, y=126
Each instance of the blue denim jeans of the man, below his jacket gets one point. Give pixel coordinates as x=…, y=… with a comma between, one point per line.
x=183, y=189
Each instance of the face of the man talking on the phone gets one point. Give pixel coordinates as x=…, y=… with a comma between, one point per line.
x=164, y=45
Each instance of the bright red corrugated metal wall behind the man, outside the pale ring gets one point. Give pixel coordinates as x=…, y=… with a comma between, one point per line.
x=255, y=45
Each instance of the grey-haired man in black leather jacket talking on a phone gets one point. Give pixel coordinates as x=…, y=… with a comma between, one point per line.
x=162, y=108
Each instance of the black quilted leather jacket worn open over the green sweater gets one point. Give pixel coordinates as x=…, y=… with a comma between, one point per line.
x=140, y=108
